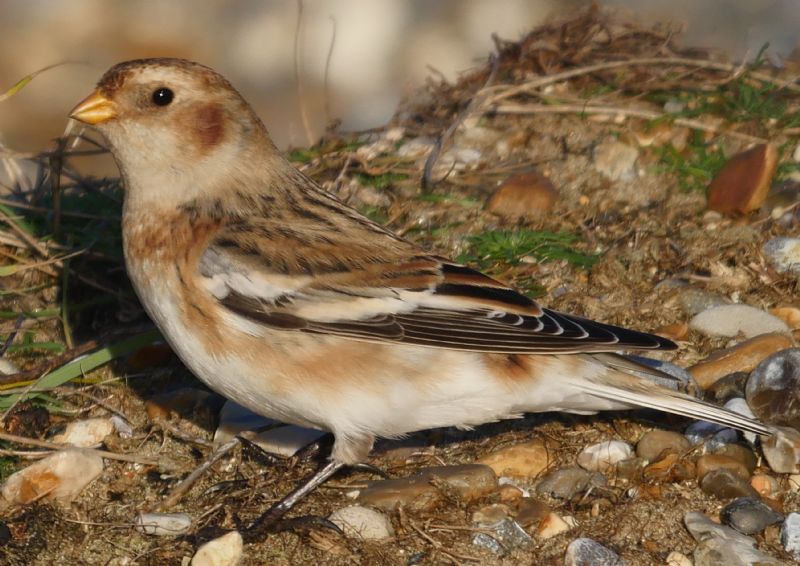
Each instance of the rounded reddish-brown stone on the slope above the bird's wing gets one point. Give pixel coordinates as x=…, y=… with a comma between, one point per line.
x=524, y=196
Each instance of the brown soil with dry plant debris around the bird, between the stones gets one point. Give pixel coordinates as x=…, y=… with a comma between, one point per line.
x=650, y=233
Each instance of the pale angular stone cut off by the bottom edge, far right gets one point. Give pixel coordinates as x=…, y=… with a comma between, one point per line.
x=720, y=545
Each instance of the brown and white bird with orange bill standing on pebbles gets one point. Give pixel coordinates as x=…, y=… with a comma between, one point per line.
x=284, y=299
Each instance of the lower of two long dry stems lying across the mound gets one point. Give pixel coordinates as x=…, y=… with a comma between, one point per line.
x=631, y=112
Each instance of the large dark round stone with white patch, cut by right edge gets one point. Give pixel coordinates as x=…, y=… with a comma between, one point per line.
x=773, y=390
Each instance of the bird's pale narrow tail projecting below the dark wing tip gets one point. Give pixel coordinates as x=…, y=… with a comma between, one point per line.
x=619, y=383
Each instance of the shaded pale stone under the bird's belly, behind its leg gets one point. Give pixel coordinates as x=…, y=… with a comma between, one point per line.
x=284, y=440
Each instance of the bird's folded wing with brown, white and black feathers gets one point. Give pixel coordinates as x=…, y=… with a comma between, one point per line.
x=364, y=283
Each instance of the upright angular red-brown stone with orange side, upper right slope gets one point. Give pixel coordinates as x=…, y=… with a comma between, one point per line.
x=743, y=182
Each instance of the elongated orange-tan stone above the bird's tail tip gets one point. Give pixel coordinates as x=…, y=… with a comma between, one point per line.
x=743, y=357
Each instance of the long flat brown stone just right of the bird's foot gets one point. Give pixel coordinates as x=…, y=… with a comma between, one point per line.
x=418, y=492
